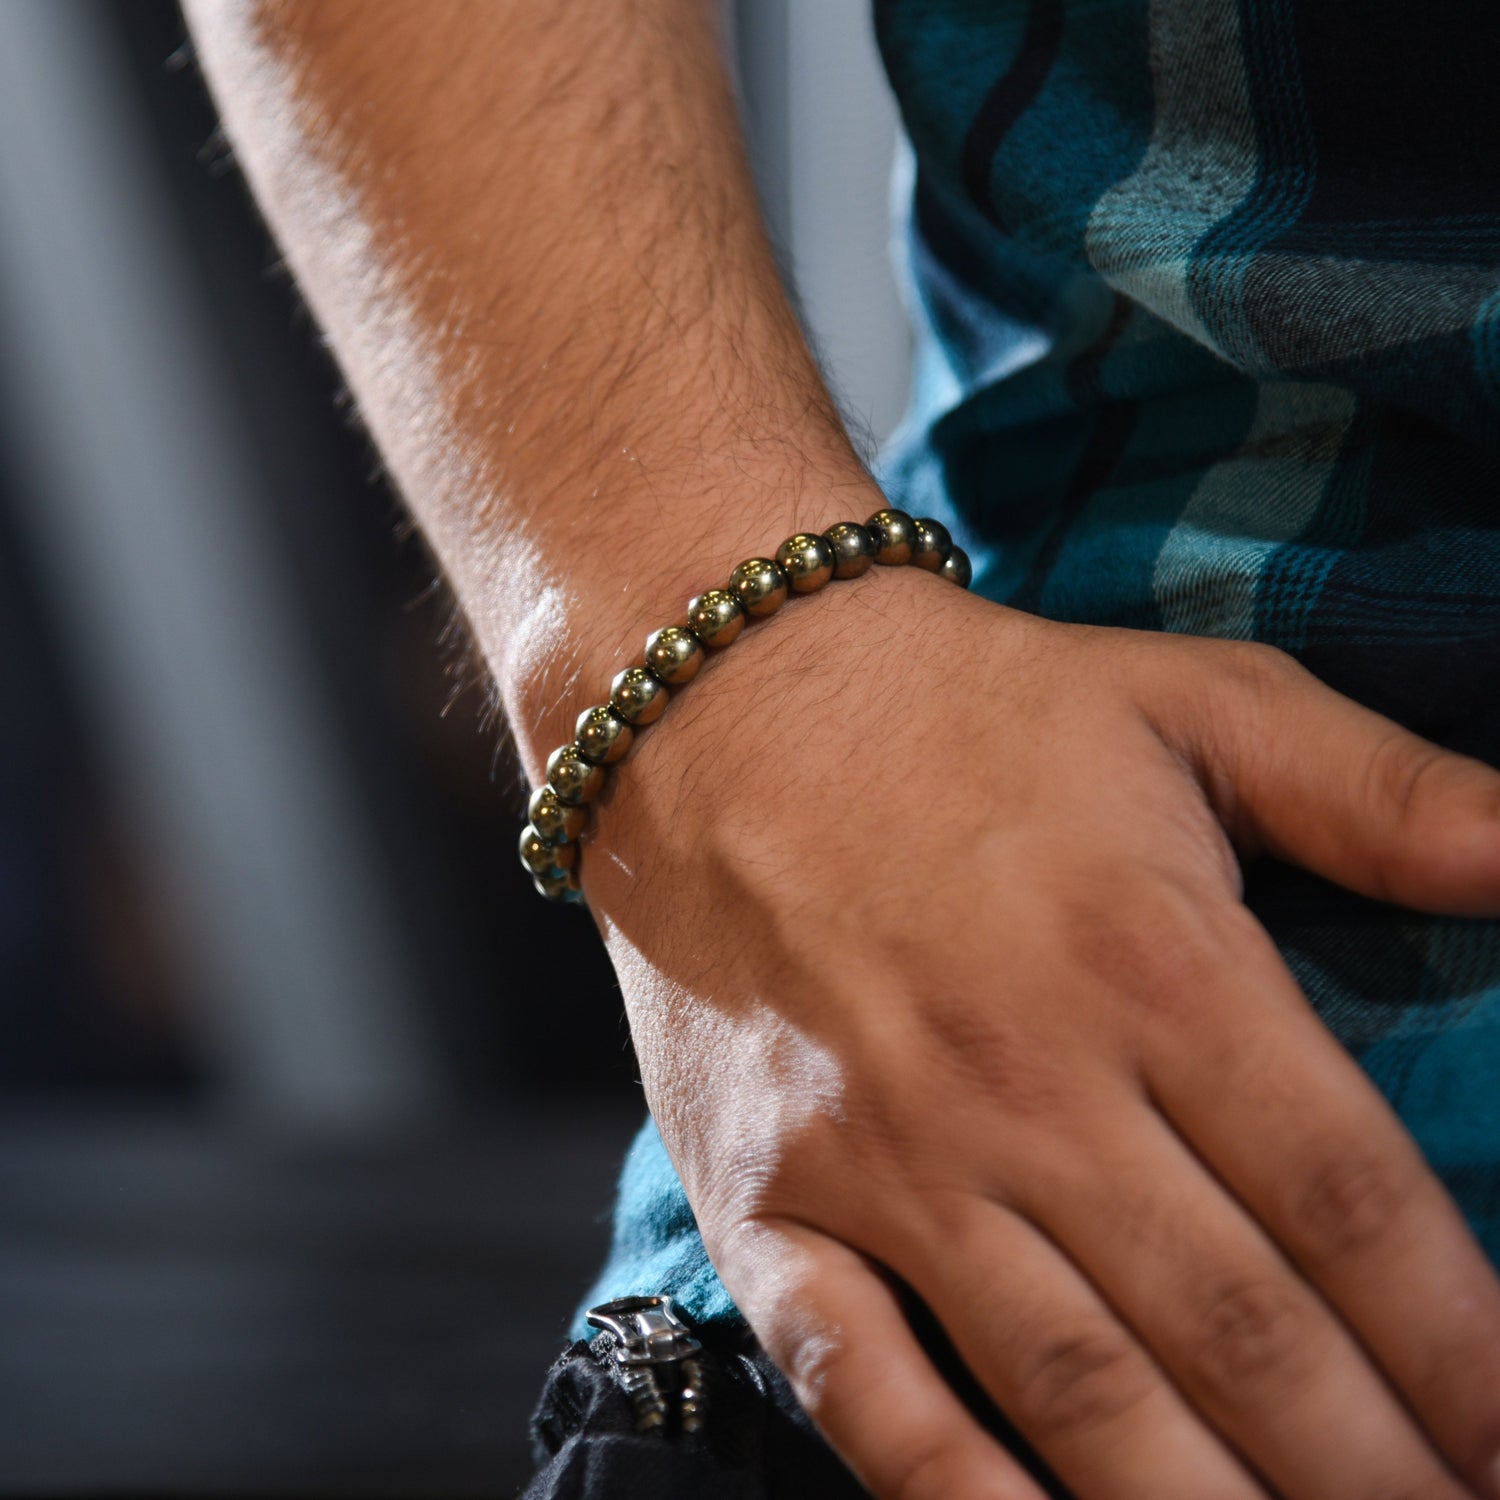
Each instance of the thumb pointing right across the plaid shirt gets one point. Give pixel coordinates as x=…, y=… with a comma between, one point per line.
x=1313, y=778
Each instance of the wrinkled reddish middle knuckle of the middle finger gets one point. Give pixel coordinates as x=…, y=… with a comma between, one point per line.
x=1255, y=1336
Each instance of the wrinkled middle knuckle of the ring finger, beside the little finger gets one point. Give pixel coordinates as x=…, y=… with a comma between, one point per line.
x=1081, y=1379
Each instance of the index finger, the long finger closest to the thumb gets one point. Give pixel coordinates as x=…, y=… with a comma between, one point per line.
x=1297, y=1132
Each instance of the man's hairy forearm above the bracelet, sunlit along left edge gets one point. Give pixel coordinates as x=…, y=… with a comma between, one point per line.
x=533, y=244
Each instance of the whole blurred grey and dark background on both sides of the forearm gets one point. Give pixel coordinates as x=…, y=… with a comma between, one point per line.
x=304, y=1153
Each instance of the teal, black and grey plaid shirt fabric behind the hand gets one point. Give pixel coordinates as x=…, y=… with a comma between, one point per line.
x=1208, y=313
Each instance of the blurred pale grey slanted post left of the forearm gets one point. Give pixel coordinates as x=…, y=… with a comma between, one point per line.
x=140, y=514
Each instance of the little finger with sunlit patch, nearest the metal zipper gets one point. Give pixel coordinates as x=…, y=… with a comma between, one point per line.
x=838, y=1333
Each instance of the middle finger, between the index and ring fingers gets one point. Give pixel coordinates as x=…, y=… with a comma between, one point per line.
x=1244, y=1337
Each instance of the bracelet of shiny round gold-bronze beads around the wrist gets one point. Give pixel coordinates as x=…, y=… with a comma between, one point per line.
x=803, y=563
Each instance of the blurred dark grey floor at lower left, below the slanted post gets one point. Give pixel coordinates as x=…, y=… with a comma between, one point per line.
x=187, y=1313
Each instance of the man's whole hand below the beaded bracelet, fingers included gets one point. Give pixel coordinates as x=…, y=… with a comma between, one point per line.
x=929, y=925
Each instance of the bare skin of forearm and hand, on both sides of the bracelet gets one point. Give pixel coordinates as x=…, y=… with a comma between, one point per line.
x=926, y=913
